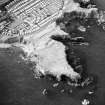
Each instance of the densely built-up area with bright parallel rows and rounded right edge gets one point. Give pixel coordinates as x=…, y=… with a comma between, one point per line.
x=31, y=15
